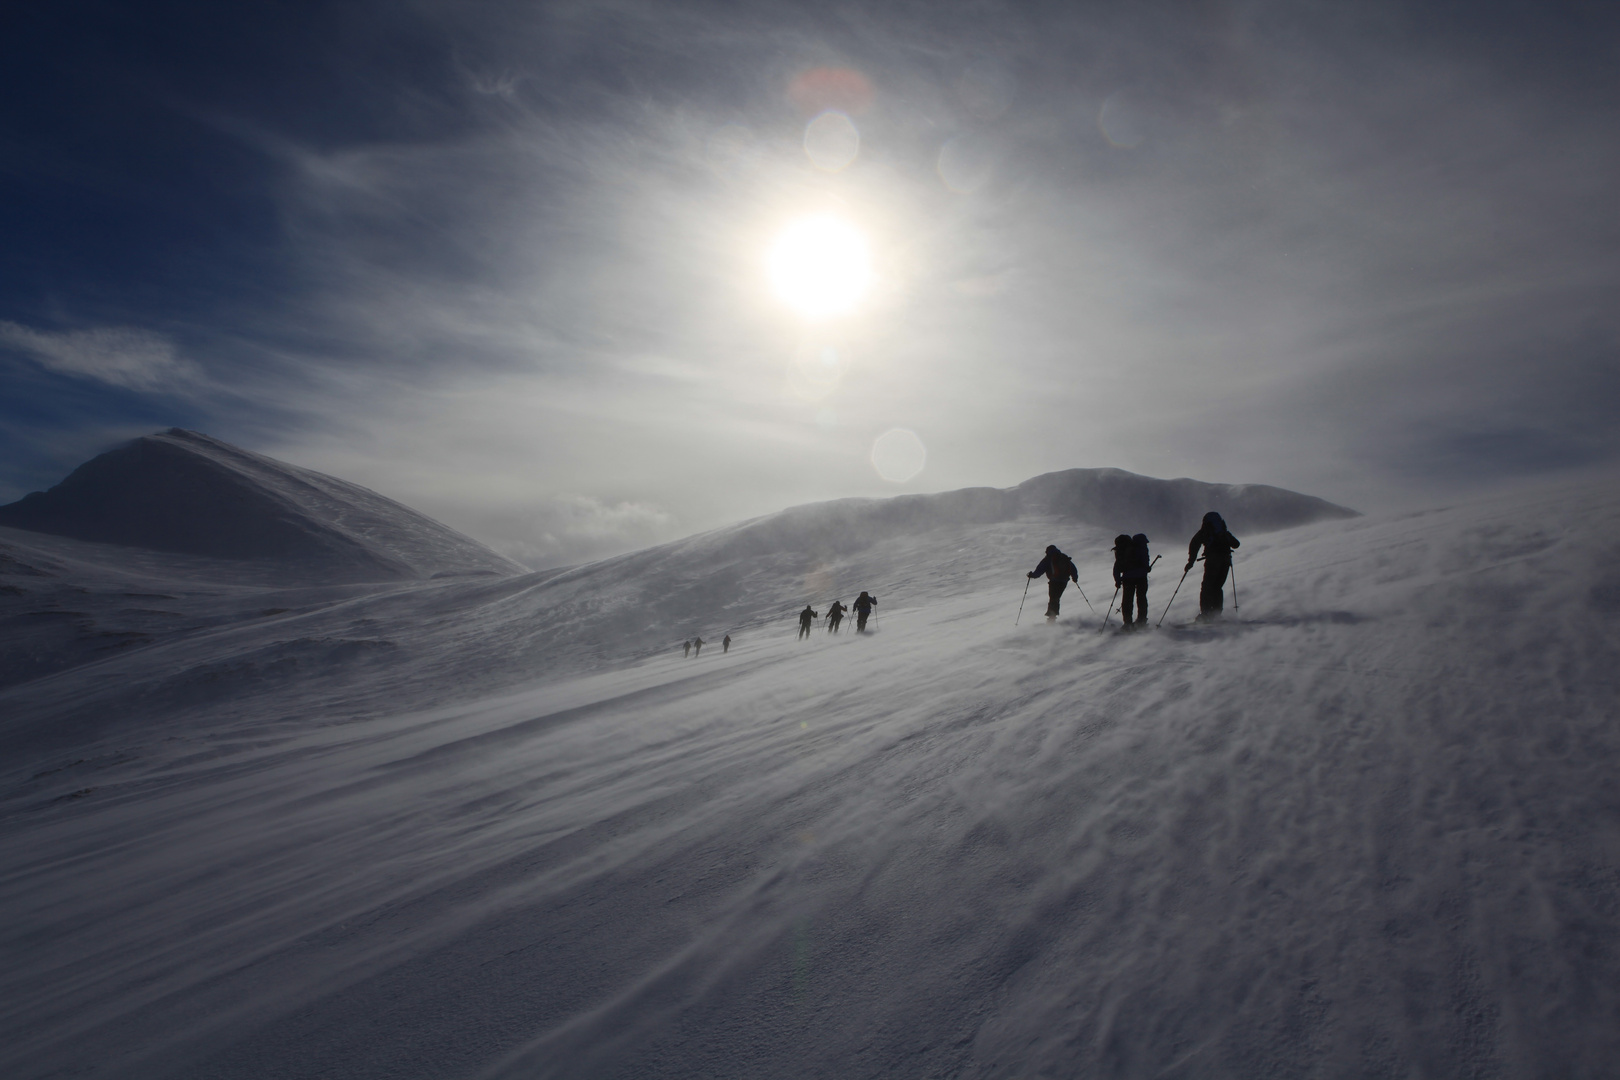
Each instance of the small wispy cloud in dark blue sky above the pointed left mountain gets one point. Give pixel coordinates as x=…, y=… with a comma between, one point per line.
x=122, y=357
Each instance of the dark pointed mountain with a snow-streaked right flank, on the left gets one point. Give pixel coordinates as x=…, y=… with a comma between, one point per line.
x=182, y=491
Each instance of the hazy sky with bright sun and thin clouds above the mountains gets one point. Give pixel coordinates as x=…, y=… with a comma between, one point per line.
x=582, y=278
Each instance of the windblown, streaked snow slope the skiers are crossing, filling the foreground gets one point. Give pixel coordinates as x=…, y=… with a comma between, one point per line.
x=1370, y=827
